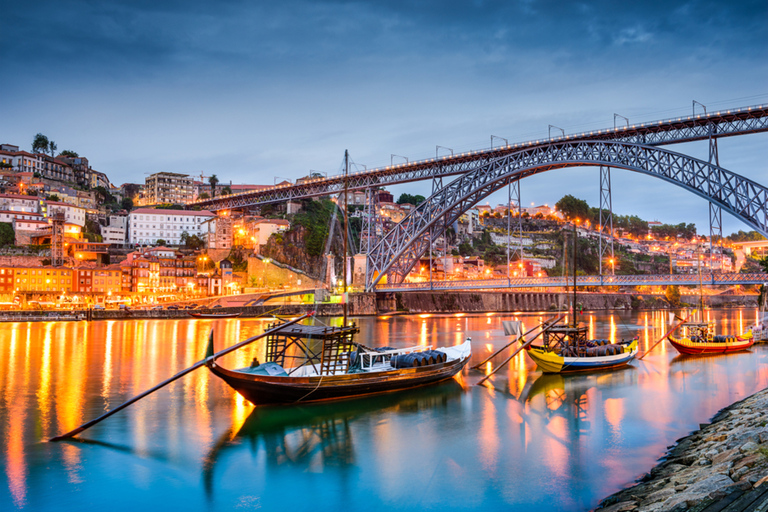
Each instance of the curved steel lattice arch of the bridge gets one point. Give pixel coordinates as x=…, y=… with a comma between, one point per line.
x=397, y=251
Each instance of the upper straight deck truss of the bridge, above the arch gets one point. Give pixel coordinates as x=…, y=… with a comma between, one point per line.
x=682, y=129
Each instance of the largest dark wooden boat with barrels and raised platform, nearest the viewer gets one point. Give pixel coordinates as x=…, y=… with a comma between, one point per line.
x=338, y=369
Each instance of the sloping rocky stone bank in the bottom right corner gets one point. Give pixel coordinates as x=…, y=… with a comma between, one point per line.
x=719, y=462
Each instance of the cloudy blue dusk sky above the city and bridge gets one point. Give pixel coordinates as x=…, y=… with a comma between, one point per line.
x=254, y=91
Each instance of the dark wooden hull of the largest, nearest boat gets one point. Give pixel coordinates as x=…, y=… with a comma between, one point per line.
x=261, y=389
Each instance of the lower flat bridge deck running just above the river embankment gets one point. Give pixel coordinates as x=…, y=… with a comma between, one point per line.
x=562, y=281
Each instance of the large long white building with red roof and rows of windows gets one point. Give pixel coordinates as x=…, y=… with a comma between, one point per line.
x=148, y=225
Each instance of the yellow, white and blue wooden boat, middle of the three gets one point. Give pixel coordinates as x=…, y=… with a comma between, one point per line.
x=566, y=349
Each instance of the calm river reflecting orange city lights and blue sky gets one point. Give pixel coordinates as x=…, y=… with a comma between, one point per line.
x=526, y=442
